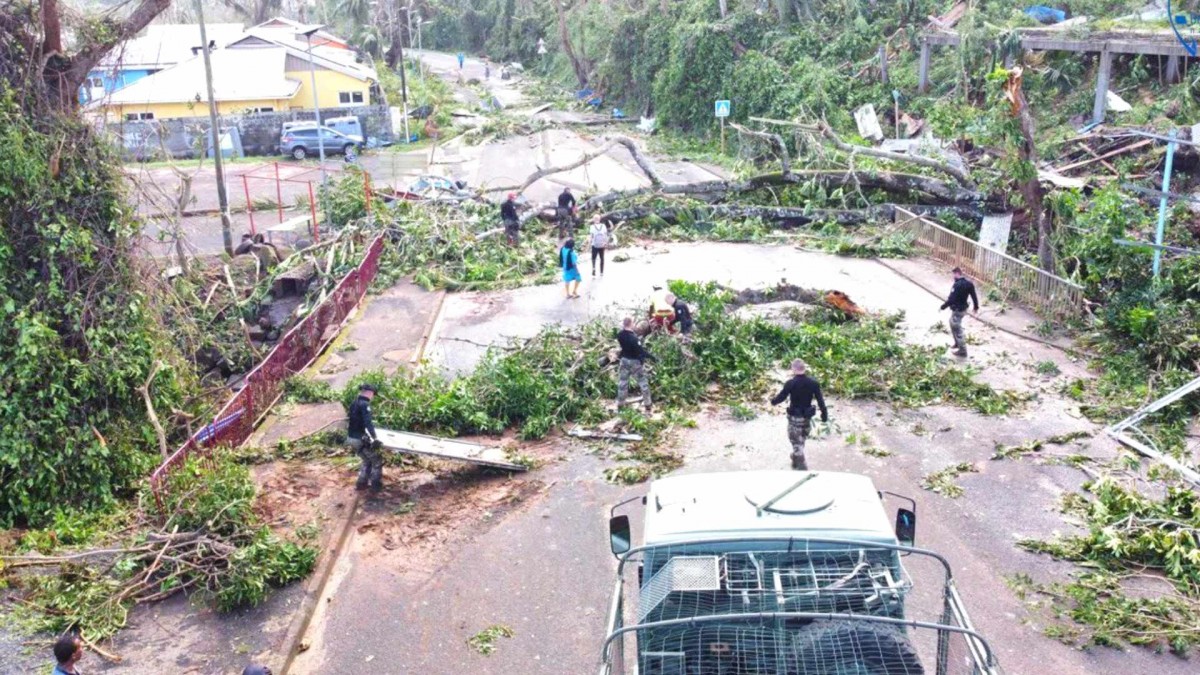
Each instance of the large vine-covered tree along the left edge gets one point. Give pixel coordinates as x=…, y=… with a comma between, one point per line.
x=80, y=337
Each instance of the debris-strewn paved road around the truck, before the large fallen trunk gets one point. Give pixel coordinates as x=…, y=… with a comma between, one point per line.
x=543, y=568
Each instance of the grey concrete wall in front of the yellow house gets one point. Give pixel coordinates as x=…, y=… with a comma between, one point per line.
x=260, y=133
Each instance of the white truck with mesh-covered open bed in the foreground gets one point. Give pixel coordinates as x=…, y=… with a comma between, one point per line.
x=783, y=574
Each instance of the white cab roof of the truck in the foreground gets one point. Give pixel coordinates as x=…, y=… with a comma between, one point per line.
x=723, y=506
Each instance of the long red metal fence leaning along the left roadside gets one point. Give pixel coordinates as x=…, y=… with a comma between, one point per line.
x=263, y=386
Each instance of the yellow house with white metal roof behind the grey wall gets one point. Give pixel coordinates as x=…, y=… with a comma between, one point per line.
x=265, y=71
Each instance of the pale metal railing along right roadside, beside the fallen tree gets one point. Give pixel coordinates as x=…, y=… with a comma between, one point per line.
x=1051, y=296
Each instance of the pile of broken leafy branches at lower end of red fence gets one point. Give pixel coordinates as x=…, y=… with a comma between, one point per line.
x=205, y=539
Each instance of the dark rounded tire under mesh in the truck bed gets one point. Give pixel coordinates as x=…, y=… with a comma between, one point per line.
x=856, y=647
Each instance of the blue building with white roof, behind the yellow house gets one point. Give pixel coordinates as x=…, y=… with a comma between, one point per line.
x=160, y=47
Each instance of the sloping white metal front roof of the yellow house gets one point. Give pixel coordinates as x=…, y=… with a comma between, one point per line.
x=238, y=75
